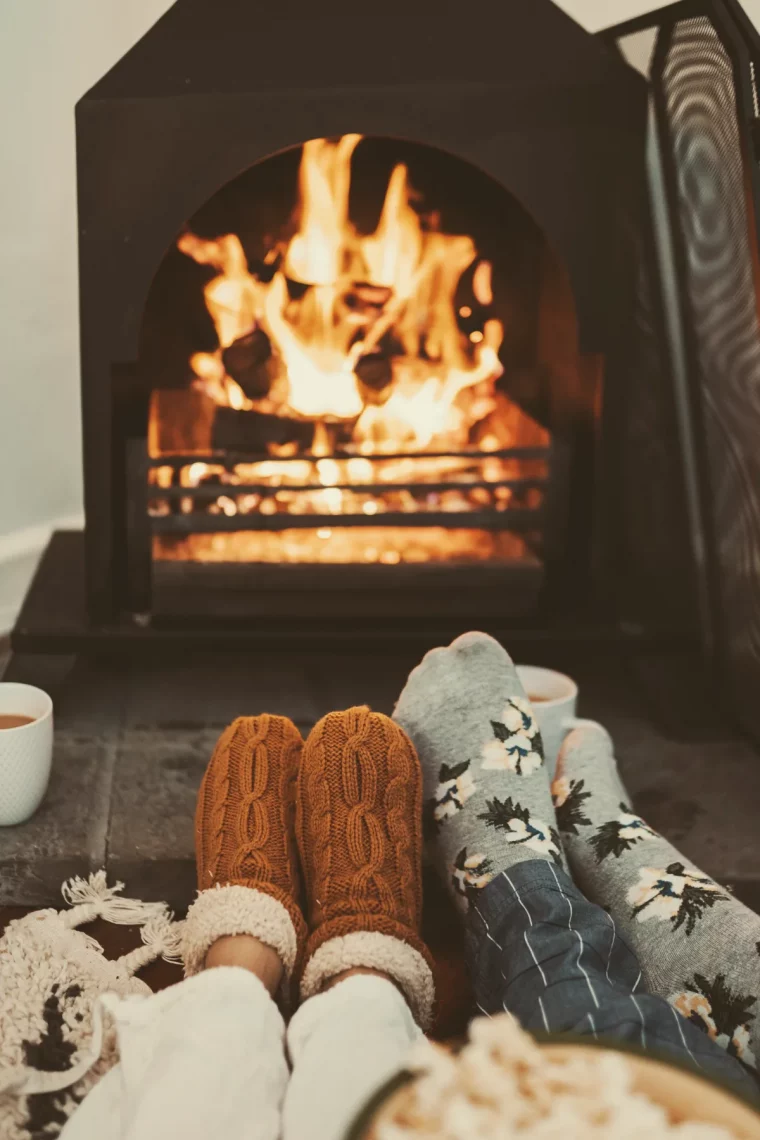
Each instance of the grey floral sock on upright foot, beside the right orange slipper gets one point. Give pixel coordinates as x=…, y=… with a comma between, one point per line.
x=487, y=794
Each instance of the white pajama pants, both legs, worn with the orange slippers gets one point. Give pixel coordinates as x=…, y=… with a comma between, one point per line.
x=206, y=1060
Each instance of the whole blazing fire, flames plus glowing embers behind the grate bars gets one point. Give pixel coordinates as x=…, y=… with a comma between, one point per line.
x=366, y=344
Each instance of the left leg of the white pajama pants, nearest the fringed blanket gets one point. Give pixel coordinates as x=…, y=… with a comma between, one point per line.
x=201, y=1061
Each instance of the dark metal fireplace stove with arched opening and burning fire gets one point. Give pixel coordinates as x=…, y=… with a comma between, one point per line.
x=361, y=331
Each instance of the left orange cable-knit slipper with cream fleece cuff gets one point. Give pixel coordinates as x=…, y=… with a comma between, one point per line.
x=244, y=842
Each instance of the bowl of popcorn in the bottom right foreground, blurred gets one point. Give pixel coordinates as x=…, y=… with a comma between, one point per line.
x=504, y=1084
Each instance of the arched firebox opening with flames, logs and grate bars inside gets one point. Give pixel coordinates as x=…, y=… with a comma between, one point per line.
x=349, y=363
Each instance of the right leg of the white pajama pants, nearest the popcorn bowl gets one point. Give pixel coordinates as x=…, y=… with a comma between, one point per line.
x=344, y=1046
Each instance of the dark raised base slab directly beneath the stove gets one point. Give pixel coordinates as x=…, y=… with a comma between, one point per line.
x=54, y=622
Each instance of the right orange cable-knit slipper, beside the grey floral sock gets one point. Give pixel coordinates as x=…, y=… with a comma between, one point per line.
x=359, y=832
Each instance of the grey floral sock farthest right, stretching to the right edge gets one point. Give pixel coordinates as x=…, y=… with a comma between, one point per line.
x=697, y=946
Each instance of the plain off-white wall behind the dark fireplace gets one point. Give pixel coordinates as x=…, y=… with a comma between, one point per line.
x=51, y=53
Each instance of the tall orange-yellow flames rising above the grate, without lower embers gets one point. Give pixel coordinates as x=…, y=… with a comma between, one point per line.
x=320, y=339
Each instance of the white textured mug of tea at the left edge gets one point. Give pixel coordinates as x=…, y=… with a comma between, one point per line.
x=26, y=752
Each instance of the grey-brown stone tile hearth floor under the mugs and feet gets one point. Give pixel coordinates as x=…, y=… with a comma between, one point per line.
x=133, y=743
